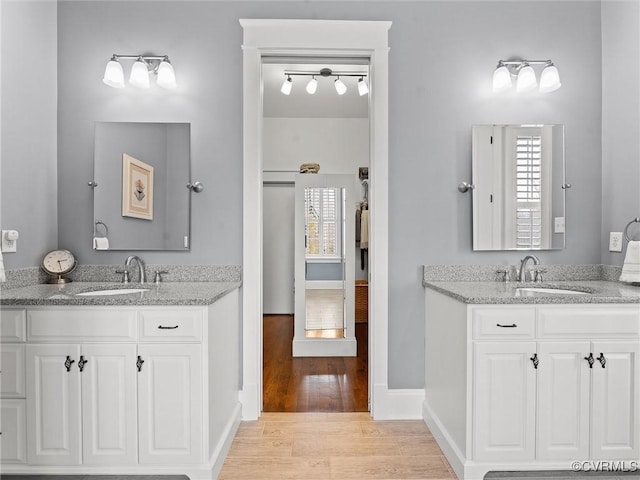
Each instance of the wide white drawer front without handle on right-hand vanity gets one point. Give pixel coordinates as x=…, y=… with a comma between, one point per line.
x=592, y=321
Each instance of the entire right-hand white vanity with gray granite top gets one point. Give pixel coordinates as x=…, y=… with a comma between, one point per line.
x=524, y=380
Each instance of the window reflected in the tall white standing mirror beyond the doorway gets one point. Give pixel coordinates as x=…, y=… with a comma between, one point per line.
x=322, y=222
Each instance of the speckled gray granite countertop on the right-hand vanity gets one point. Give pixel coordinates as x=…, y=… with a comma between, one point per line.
x=491, y=292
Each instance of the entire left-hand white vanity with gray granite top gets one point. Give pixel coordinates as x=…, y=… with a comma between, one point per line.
x=137, y=383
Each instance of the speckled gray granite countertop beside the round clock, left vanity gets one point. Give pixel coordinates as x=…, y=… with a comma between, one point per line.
x=166, y=293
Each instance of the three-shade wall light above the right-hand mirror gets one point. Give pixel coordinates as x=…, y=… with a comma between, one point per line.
x=525, y=76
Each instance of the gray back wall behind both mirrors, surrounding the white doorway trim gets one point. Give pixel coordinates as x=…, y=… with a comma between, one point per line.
x=441, y=60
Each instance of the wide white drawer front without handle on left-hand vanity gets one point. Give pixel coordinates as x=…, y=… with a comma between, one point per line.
x=82, y=324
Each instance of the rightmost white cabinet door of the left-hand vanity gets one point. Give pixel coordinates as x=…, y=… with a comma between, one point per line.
x=170, y=404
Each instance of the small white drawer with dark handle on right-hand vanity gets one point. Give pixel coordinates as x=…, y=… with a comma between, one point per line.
x=503, y=322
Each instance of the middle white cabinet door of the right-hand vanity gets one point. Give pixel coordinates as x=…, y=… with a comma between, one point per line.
x=563, y=401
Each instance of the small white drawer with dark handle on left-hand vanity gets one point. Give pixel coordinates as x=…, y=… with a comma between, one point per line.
x=171, y=325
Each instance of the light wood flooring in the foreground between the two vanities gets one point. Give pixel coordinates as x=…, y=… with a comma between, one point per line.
x=344, y=446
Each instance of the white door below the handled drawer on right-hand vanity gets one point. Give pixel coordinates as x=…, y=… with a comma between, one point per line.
x=504, y=401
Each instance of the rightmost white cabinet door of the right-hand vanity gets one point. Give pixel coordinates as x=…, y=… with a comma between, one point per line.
x=615, y=430
